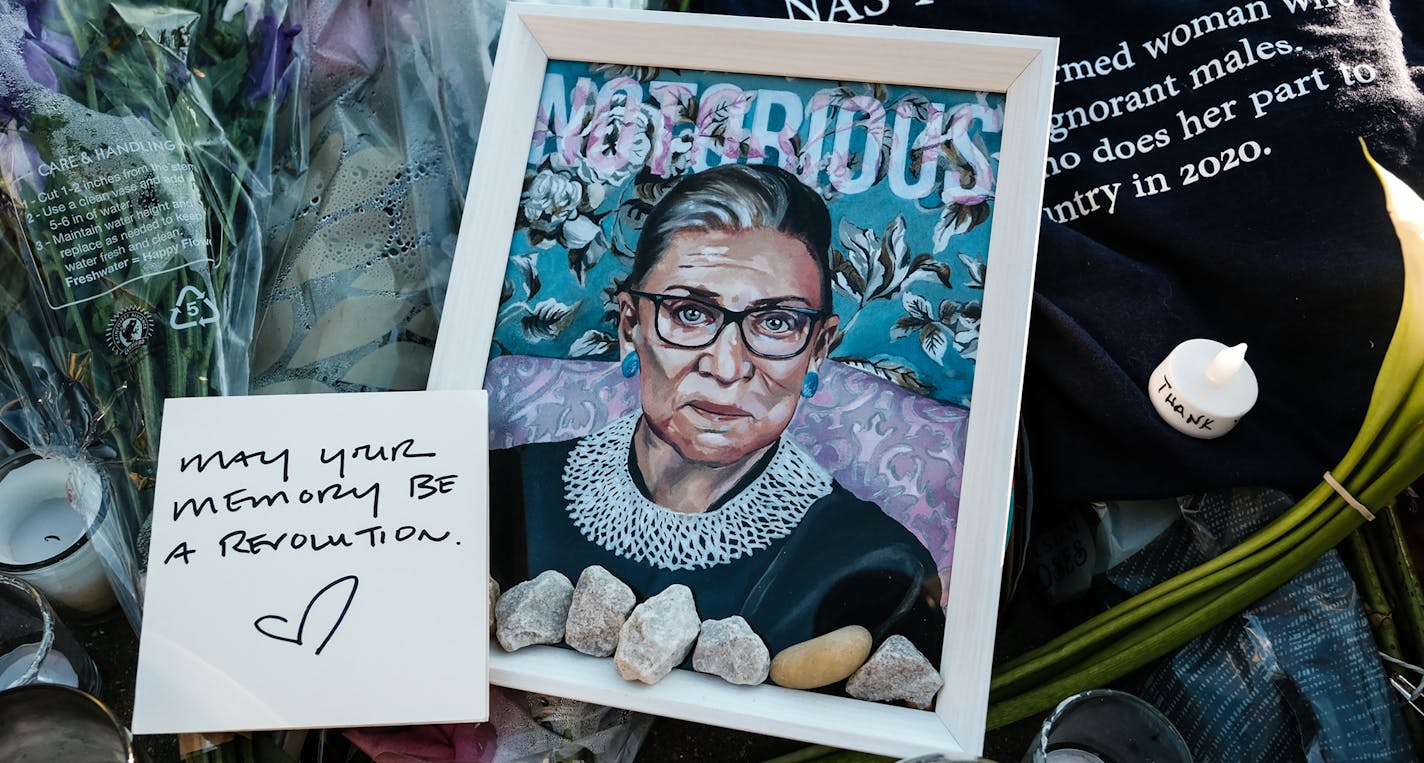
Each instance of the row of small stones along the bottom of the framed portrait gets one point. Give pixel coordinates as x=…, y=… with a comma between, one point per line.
x=600, y=617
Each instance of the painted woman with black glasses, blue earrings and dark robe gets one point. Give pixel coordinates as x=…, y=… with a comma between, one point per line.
x=724, y=328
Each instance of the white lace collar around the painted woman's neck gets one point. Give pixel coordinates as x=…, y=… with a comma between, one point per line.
x=612, y=512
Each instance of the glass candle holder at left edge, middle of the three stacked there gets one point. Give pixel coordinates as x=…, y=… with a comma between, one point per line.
x=35, y=646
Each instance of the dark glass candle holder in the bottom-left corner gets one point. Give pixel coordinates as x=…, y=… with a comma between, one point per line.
x=43, y=722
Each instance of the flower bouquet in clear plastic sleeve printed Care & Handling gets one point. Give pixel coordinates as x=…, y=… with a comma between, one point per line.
x=137, y=143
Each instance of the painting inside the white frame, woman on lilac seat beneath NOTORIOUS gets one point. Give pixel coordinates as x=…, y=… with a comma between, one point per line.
x=737, y=341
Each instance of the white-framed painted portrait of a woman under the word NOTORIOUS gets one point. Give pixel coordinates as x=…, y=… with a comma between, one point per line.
x=751, y=302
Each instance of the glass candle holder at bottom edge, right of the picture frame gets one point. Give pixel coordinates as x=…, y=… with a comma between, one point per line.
x=1107, y=727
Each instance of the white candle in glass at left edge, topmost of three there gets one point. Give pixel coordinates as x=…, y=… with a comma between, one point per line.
x=46, y=526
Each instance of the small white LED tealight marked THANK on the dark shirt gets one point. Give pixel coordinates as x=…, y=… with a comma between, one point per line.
x=1204, y=388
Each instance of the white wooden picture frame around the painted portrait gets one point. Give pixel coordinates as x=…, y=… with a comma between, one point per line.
x=1020, y=69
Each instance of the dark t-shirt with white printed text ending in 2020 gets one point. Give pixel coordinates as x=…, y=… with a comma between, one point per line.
x=1205, y=180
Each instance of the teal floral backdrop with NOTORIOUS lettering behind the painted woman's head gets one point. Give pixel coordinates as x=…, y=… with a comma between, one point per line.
x=909, y=176
